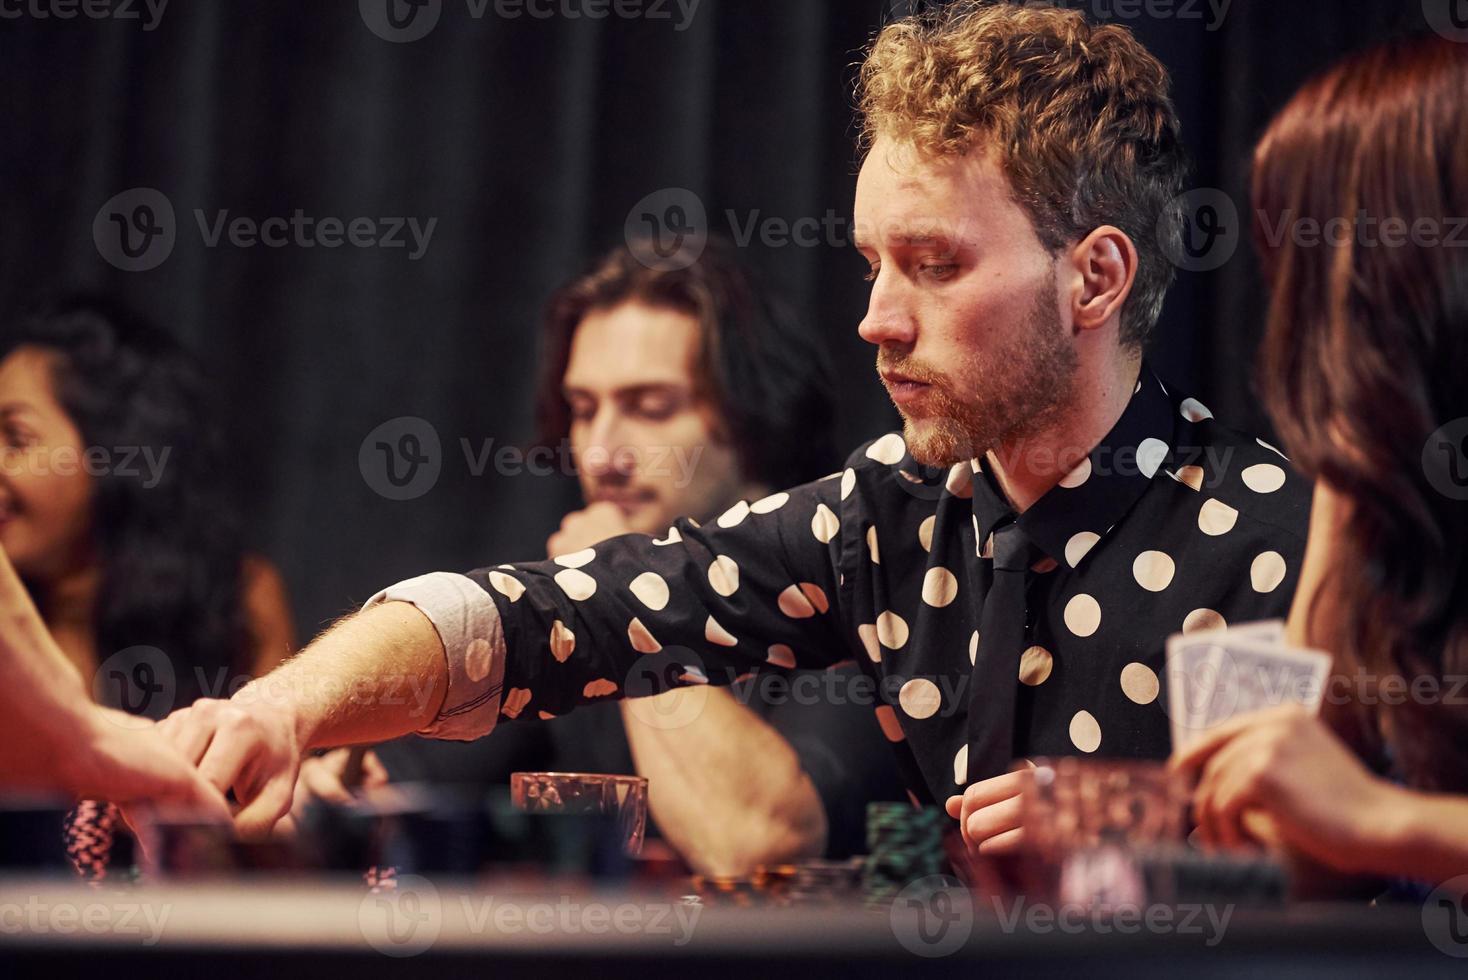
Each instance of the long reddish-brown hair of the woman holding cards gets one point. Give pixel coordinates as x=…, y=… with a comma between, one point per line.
x=1362, y=203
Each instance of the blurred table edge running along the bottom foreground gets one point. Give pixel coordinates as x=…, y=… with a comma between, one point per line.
x=230, y=929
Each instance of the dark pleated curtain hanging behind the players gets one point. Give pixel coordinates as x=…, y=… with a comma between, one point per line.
x=531, y=142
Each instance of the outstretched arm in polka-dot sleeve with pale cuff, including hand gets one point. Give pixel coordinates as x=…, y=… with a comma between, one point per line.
x=537, y=640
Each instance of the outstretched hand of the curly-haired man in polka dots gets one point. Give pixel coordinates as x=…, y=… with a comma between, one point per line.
x=253, y=752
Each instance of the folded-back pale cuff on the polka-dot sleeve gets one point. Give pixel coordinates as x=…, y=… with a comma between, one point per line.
x=475, y=643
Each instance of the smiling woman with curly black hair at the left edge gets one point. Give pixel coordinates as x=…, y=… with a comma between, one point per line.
x=117, y=508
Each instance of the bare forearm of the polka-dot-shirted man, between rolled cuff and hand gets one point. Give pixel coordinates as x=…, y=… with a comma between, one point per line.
x=372, y=677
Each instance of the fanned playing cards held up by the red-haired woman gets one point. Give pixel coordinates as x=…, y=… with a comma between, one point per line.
x=1224, y=674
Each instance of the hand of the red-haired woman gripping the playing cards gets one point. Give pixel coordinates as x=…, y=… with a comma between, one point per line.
x=1285, y=767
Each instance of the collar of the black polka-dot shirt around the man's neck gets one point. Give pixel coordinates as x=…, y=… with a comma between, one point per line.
x=1093, y=498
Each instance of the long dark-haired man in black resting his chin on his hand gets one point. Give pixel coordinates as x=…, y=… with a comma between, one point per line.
x=683, y=388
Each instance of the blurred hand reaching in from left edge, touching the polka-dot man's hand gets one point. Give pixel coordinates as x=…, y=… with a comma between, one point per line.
x=127, y=761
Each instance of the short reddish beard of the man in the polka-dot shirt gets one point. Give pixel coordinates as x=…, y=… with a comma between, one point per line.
x=1012, y=394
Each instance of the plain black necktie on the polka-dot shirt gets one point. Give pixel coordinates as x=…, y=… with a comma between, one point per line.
x=996, y=670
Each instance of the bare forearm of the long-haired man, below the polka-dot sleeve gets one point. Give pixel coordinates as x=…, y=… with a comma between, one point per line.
x=726, y=789
